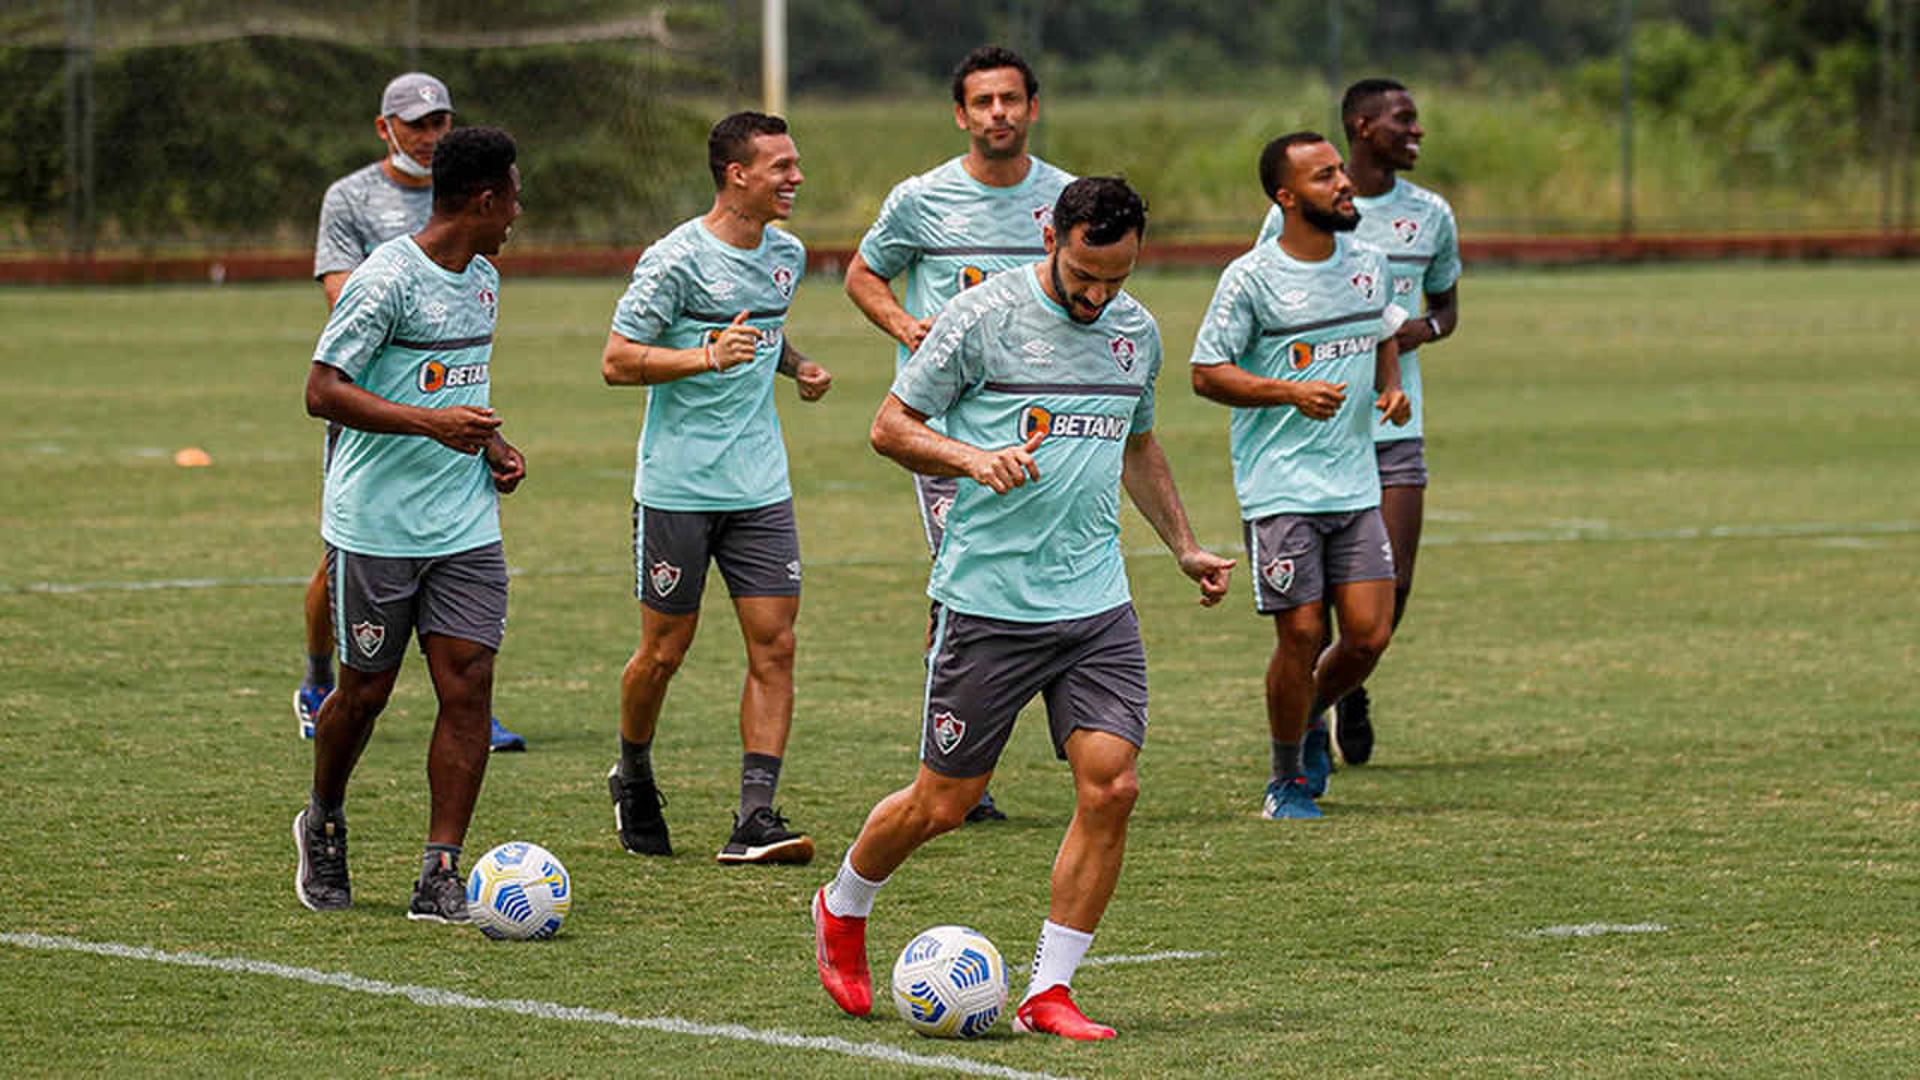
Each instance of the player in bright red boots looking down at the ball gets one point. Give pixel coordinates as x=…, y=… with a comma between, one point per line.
x=1045, y=378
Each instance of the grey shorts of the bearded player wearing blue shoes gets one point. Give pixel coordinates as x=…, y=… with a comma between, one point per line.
x=1299, y=556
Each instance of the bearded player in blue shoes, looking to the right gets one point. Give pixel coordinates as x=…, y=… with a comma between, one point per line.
x=1299, y=341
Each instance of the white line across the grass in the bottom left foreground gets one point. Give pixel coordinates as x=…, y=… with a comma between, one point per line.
x=435, y=998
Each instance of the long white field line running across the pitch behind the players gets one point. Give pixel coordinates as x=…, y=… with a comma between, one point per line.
x=1564, y=535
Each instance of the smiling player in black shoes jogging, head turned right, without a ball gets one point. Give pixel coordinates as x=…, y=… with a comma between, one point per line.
x=702, y=326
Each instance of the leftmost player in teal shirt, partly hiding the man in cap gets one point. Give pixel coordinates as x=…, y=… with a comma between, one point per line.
x=412, y=512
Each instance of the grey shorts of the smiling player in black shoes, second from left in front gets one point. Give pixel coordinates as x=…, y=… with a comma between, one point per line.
x=759, y=554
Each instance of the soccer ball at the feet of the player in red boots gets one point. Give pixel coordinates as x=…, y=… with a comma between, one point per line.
x=949, y=983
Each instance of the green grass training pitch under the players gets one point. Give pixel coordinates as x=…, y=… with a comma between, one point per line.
x=1660, y=674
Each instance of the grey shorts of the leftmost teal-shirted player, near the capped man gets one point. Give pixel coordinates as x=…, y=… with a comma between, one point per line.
x=379, y=602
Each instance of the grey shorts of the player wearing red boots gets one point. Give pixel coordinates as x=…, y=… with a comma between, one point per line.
x=982, y=672
